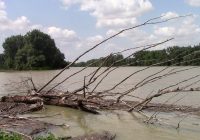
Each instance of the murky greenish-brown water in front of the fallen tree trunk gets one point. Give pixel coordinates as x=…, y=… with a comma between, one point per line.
x=127, y=126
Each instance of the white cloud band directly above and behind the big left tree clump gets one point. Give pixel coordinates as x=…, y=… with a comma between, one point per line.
x=65, y=39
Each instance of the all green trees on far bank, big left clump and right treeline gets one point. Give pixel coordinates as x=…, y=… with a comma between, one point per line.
x=37, y=50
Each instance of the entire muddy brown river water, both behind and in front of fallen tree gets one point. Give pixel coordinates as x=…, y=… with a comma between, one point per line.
x=126, y=126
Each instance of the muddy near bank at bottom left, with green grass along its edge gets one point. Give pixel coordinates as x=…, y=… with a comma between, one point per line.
x=27, y=128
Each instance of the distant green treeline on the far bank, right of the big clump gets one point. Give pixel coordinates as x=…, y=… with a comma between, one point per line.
x=172, y=56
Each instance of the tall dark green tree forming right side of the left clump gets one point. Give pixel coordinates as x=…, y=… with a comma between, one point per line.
x=45, y=49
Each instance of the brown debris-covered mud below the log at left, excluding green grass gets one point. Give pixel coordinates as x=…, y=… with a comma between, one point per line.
x=26, y=127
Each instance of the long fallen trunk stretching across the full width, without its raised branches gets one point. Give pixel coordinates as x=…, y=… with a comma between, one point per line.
x=12, y=105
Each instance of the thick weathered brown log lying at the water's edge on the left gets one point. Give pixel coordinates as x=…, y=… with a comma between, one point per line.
x=36, y=102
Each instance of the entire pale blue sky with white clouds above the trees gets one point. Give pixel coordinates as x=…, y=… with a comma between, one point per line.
x=77, y=25
